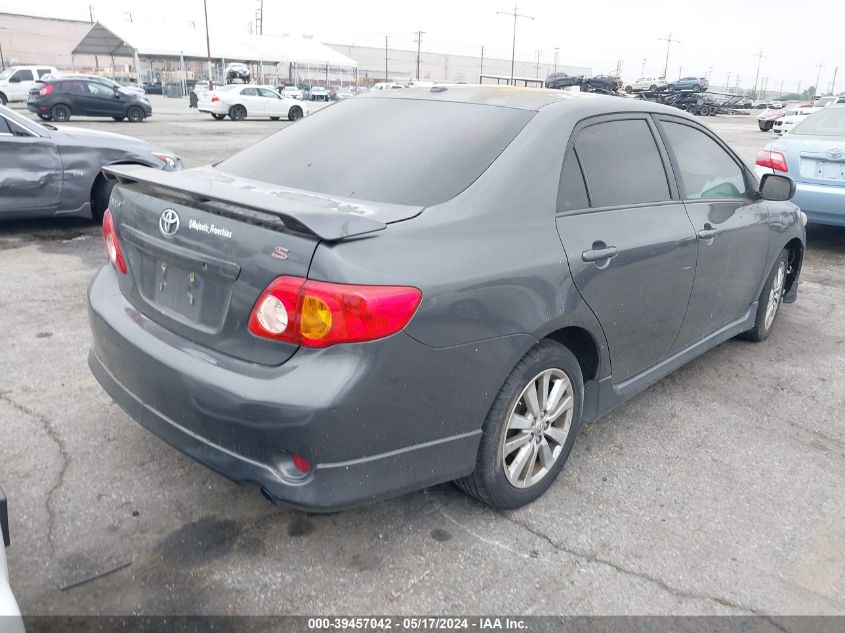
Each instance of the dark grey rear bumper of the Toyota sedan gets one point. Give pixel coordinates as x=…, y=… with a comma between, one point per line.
x=374, y=420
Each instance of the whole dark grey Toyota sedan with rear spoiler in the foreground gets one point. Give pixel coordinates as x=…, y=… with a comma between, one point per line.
x=346, y=333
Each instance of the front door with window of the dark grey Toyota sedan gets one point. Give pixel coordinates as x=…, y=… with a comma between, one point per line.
x=732, y=227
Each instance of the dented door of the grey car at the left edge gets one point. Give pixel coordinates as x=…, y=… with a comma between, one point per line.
x=30, y=169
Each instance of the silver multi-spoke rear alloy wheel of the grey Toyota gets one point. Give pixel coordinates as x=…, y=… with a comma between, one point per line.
x=538, y=428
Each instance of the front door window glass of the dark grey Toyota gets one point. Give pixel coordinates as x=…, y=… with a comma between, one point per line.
x=707, y=170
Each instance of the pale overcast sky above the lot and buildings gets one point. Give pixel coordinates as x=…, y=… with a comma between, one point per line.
x=720, y=34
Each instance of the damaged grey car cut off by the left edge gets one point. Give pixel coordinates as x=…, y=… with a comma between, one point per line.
x=47, y=171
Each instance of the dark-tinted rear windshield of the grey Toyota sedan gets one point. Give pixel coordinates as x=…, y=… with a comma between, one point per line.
x=403, y=151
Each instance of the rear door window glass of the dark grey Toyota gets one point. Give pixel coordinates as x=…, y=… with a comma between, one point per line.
x=621, y=163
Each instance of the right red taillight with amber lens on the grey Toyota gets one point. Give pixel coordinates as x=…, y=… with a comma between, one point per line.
x=319, y=313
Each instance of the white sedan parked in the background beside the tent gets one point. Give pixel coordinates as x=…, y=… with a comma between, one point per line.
x=241, y=101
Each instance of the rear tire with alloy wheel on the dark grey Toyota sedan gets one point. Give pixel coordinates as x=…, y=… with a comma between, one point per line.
x=530, y=429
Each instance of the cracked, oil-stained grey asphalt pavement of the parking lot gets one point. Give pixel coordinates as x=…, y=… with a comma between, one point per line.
x=720, y=490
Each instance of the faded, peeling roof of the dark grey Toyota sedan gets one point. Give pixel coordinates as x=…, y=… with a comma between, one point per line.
x=525, y=98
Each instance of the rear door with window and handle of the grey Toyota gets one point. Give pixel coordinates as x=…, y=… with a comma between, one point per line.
x=629, y=243
